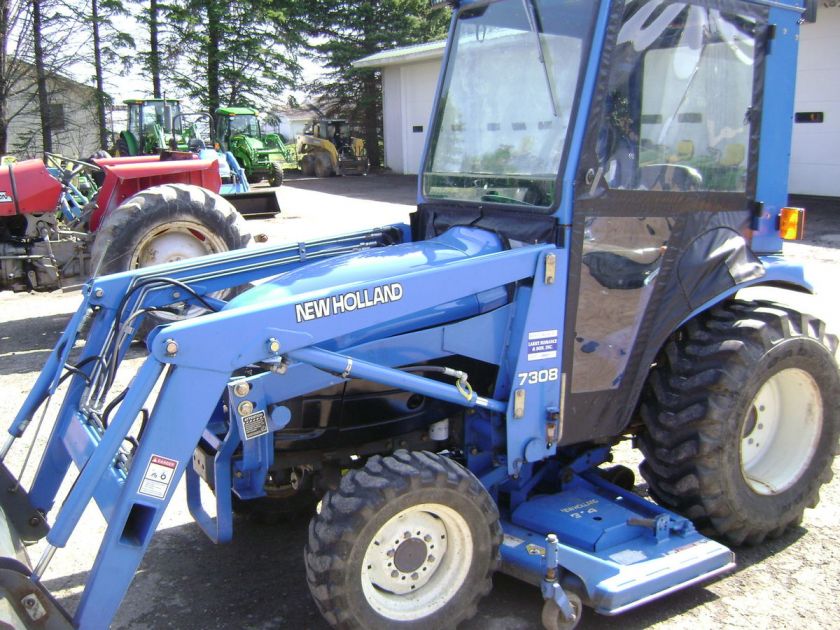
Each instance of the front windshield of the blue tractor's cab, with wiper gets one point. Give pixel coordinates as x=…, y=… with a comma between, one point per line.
x=510, y=86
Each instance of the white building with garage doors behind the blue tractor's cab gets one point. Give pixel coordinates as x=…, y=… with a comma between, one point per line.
x=409, y=79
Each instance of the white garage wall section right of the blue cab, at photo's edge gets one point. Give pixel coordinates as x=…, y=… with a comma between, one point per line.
x=815, y=159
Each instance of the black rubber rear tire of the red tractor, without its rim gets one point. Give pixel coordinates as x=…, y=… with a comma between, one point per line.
x=123, y=228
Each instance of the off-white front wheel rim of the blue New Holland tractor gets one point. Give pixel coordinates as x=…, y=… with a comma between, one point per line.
x=417, y=562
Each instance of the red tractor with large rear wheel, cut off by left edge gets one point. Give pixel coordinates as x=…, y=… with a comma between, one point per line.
x=68, y=220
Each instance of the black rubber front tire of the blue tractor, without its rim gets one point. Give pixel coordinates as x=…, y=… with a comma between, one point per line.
x=365, y=500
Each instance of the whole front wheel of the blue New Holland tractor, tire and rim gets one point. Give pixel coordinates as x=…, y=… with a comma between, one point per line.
x=411, y=540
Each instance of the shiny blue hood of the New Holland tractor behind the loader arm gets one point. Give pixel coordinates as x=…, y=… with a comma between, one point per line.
x=329, y=284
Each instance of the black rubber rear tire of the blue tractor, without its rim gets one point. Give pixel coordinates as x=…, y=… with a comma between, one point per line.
x=694, y=404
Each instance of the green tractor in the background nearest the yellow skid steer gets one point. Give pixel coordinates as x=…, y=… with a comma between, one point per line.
x=262, y=156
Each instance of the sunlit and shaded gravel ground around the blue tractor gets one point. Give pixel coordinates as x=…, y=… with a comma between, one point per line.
x=258, y=580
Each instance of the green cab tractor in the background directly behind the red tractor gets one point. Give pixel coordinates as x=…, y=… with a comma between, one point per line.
x=154, y=124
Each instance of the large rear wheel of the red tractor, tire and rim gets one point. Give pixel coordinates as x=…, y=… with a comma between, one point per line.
x=165, y=224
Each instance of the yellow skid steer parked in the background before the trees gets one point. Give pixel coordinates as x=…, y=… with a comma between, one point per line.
x=327, y=148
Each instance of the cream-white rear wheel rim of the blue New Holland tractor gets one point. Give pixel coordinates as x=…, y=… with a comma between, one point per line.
x=781, y=431
